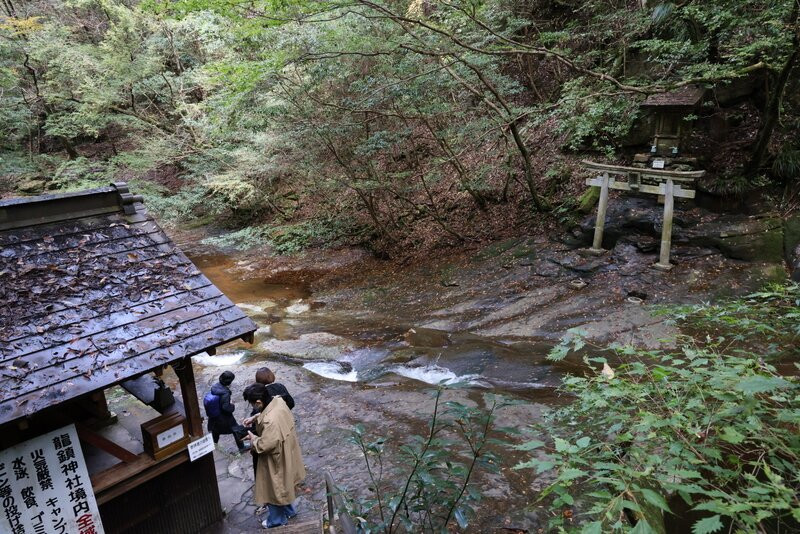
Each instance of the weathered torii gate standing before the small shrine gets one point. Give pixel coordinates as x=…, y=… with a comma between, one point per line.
x=669, y=184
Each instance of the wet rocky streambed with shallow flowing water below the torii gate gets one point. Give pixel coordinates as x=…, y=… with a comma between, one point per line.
x=359, y=342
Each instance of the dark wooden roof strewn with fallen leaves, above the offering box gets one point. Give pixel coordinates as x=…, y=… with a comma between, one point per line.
x=92, y=292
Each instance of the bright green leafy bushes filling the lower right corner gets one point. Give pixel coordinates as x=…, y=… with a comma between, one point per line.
x=709, y=424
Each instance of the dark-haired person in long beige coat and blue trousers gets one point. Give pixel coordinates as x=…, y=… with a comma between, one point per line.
x=280, y=463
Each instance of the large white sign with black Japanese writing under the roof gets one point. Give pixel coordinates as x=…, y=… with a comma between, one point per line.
x=45, y=488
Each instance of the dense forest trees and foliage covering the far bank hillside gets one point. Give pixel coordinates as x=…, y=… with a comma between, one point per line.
x=381, y=113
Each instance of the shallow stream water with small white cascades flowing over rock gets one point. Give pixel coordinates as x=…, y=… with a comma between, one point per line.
x=366, y=346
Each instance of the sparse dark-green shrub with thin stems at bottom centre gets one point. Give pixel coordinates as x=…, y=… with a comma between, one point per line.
x=431, y=486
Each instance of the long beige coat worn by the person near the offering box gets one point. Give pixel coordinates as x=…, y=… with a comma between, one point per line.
x=280, y=464
